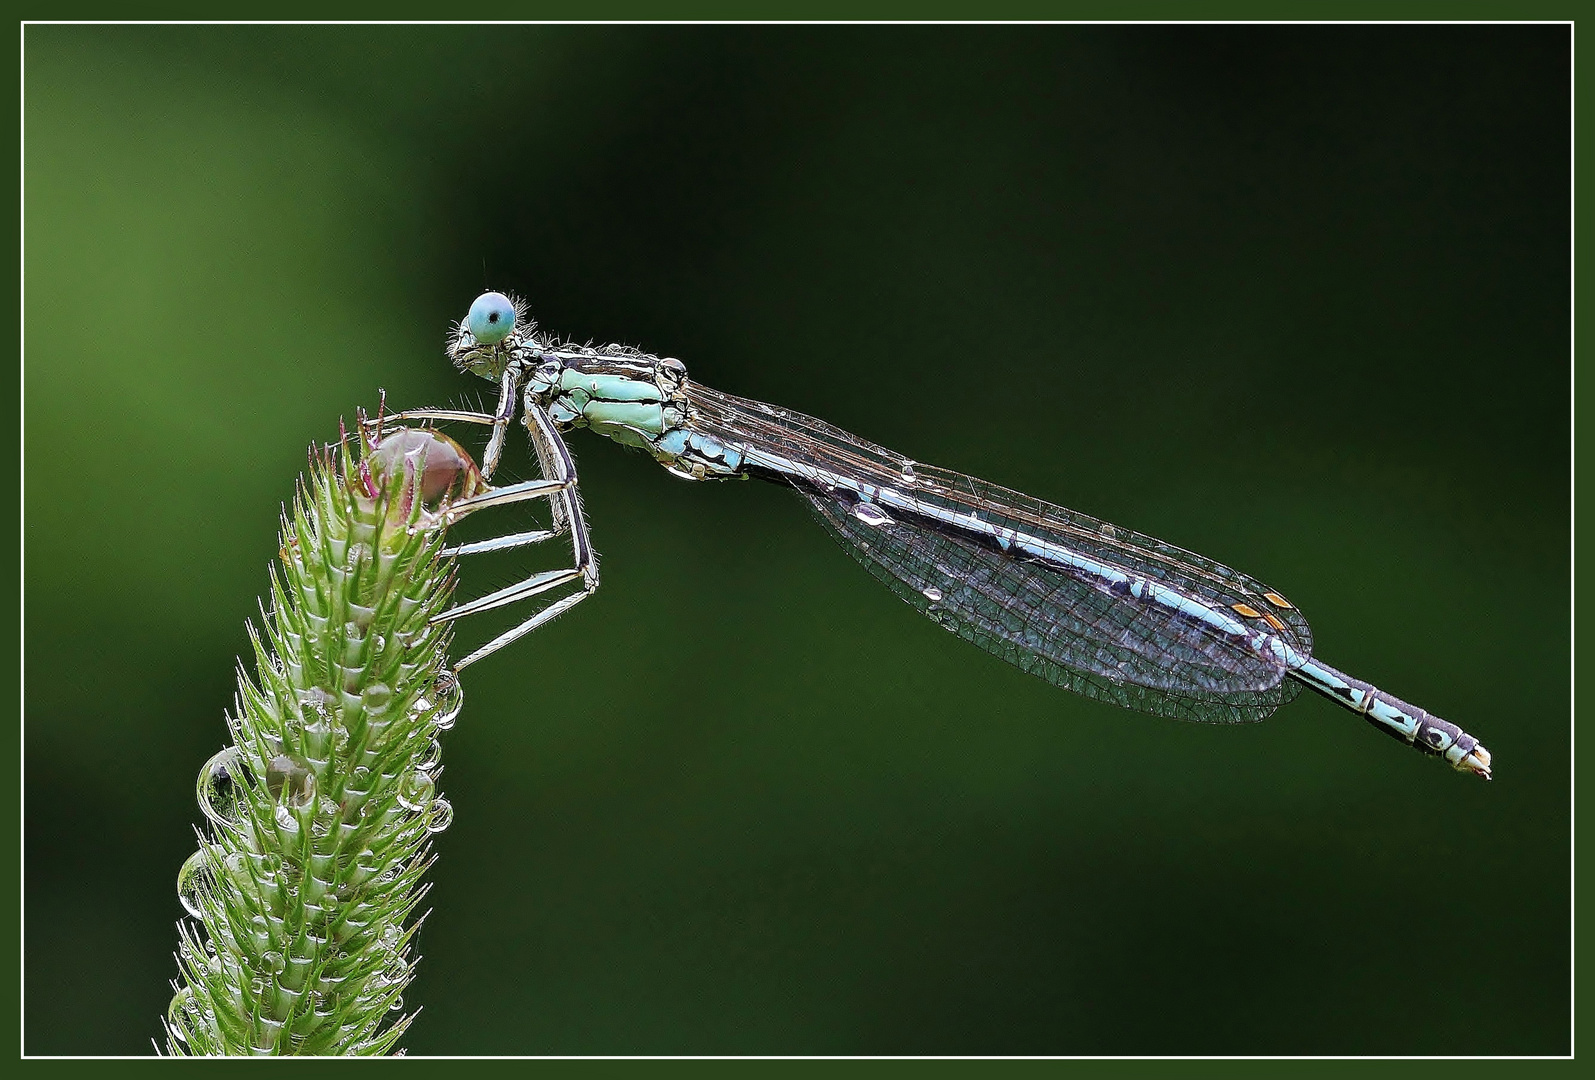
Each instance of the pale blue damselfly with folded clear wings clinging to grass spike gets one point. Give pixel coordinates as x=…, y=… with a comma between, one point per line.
x=1100, y=610
